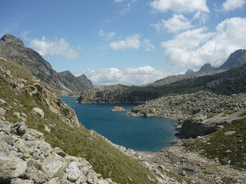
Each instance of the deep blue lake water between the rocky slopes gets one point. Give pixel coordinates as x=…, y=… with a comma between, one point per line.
x=137, y=133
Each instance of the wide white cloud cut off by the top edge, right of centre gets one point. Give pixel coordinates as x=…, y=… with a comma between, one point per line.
x=185, y=6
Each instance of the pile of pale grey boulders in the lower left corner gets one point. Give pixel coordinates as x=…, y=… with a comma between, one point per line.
x=25, y=157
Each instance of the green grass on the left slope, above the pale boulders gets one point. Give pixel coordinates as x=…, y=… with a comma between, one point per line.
x=105, y=159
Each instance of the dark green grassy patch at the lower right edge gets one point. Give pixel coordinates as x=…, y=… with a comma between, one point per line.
x=218, y=144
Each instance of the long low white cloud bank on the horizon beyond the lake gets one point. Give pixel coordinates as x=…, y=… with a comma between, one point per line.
x=126, y=76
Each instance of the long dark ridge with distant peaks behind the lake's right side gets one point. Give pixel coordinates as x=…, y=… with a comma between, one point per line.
x=227, y=82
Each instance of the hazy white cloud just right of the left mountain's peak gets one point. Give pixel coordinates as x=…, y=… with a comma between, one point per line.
x=58, y=47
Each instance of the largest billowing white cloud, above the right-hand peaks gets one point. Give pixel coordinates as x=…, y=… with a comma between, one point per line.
x=205, y=47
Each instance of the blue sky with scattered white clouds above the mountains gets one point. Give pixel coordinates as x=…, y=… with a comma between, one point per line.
x=131, y=42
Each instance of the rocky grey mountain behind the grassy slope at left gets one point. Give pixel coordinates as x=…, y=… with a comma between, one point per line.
x=13, y=48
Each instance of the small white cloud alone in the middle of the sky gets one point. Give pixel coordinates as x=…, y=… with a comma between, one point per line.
x=131, y=42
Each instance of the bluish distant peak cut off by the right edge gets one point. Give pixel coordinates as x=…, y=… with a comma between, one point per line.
x=236, y=59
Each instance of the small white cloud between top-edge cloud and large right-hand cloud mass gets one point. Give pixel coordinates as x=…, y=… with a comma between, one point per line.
x=175, y=24
